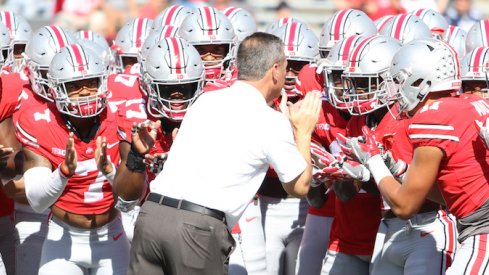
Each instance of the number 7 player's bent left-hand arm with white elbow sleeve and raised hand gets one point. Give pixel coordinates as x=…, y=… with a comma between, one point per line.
x=43, y=186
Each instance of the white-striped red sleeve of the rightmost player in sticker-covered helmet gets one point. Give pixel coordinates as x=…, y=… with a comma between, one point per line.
x=435, y=125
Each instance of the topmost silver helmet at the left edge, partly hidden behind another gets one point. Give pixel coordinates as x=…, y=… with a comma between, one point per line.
x=20, y=34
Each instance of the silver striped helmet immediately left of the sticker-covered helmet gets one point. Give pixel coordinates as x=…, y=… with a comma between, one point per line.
x=363, y=77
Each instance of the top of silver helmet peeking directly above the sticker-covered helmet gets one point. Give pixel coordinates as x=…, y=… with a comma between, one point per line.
x=406, y=28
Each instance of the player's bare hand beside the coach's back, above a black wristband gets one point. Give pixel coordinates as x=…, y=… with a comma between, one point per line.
x=144, y=136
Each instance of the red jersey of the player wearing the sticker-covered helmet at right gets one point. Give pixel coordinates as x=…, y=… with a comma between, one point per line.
x=448, y=123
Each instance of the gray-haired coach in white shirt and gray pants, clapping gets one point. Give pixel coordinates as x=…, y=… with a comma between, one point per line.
x=217, y=162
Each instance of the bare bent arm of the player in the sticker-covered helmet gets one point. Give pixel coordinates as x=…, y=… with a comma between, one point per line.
x=406, y=199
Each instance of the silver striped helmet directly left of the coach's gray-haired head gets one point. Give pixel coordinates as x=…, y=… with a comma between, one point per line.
x=208, y=28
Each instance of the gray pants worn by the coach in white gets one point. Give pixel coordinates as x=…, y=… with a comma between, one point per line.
x=174, y=241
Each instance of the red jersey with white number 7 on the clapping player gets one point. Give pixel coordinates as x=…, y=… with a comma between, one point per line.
x=43, y=131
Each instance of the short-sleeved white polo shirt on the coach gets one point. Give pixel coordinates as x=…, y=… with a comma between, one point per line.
x=223, y=150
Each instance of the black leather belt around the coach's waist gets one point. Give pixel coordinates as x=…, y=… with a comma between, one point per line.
x=186, y=205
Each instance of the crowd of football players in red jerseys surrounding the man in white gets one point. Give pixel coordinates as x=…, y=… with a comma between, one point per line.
x=400, y=158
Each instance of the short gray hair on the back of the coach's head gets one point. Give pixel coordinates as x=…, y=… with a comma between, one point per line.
x=257, y=54
